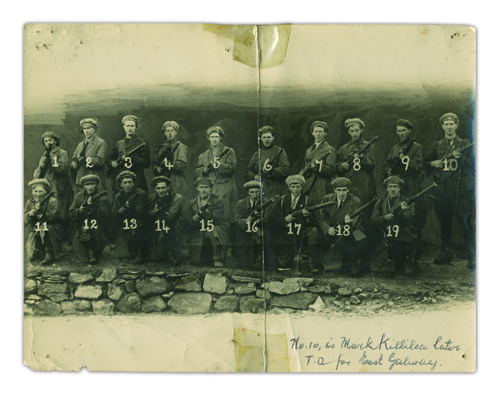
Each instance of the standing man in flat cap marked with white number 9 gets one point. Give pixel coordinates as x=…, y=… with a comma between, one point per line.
x=406, y=161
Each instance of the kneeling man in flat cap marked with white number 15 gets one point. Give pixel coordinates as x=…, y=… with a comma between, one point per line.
x=210, y=230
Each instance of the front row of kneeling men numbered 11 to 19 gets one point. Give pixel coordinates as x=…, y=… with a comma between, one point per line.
x=338, y=233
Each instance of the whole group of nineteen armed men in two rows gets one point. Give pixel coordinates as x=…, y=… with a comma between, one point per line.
x=328, y=212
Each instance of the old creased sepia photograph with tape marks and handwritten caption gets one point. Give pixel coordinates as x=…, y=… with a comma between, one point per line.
x=243, y=198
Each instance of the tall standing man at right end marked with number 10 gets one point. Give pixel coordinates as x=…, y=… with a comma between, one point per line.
x=451, y=161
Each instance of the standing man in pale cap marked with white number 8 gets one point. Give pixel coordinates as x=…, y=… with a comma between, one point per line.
x=360, y=171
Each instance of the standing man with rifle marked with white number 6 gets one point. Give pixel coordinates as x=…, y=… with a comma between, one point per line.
x=269, y=165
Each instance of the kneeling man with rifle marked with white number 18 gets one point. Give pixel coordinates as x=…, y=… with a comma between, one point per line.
x=342, y=243
